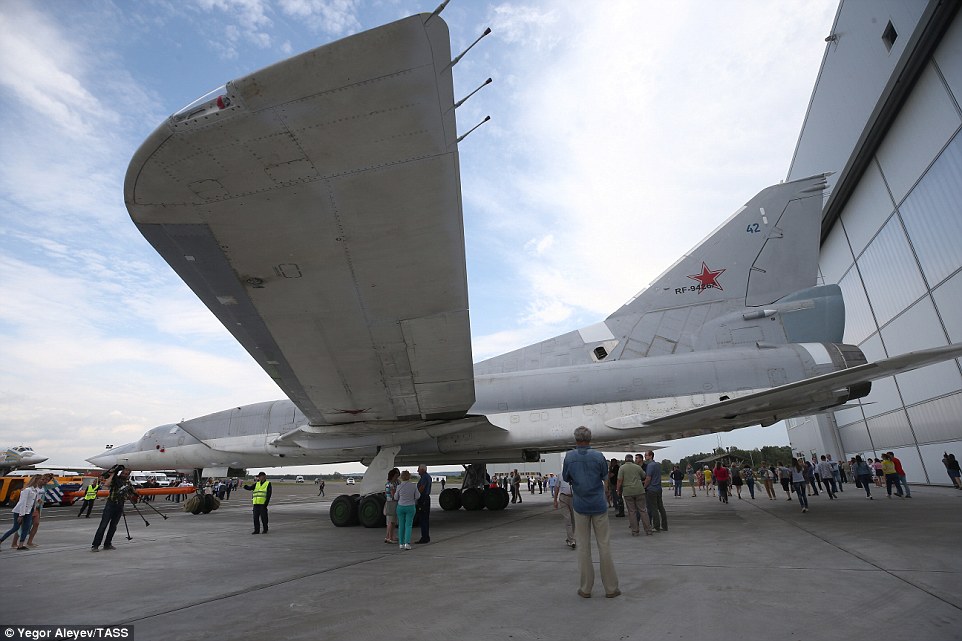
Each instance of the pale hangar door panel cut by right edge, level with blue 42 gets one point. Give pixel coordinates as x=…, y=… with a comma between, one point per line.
x=932, y=217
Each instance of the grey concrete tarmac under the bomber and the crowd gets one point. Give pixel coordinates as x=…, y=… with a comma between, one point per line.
x=753, y=569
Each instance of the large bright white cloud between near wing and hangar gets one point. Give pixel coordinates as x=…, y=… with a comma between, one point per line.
x=633, y=135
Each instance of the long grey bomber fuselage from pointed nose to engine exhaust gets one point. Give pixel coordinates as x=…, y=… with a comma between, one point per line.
x=515, y=414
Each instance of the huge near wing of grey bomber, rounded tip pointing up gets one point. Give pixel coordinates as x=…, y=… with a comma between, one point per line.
x=314, y=206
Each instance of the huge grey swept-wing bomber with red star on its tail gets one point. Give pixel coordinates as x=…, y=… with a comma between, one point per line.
x=315, y=207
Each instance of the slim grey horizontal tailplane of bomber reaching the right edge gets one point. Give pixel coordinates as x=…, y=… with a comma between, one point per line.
x=794, y=399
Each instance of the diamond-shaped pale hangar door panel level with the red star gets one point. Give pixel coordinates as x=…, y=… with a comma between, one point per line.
x=890, y=273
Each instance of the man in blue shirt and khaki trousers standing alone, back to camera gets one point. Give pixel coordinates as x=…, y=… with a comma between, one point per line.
x=586, y=470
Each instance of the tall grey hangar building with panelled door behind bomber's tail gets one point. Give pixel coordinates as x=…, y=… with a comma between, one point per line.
x=885, y=116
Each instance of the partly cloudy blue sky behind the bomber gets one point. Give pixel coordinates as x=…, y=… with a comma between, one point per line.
x=621, y=134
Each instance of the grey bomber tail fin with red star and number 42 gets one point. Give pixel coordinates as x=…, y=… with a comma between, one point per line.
x=759, y=266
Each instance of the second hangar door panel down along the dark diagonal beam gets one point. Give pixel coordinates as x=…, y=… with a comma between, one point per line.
x=926, y=122
